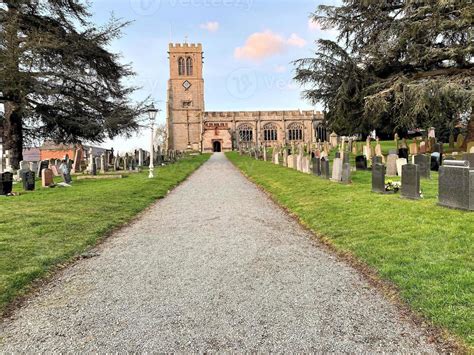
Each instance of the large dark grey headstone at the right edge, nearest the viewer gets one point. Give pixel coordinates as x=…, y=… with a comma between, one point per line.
x=456, y=185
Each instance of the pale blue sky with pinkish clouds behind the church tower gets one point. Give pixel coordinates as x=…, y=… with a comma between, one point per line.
x=248, y=47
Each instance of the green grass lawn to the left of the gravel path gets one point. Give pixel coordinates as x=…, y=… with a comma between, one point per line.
x=43, y=228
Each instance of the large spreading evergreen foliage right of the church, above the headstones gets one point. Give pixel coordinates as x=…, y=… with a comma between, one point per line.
x=416, y=58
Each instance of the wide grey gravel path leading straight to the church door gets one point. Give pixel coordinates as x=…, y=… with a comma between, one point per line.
x=215, y=266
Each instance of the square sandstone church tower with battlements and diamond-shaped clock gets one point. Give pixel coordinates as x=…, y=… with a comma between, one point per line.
x=185, y=104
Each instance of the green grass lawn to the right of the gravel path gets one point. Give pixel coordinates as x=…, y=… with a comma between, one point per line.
x=424, y=249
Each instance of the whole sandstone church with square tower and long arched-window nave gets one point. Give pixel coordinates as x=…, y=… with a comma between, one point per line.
x=191, y=127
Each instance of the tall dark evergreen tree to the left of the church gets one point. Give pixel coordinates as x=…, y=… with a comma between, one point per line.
x=57, y=79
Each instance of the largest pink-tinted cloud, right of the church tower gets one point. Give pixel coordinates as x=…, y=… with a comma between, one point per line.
x=261, y=45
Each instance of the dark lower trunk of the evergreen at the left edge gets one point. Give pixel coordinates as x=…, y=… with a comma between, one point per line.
x=13, y=133
